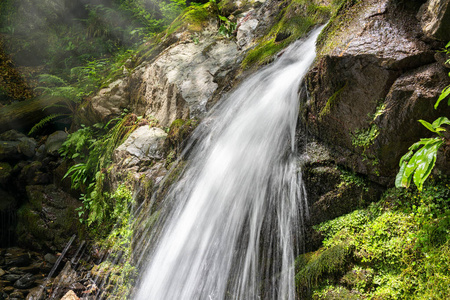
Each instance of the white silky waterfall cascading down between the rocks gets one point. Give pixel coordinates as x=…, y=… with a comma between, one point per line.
x=232, y=219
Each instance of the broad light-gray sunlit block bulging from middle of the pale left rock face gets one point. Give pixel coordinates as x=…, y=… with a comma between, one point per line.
x=180, y=82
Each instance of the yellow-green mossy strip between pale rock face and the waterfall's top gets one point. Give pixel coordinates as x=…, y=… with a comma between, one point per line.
x=294, y=21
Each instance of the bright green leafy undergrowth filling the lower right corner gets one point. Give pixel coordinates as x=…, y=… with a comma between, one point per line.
x=398, y=248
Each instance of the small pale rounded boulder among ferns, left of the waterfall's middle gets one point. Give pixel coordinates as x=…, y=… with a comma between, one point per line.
x=143, y=145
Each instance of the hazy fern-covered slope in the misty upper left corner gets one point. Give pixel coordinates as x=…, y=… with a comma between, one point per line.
x=77, y=42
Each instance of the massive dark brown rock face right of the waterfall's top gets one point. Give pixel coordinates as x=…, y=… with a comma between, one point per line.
x=374, y=78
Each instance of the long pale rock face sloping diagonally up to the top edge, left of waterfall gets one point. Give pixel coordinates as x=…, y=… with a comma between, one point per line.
x=182, y=80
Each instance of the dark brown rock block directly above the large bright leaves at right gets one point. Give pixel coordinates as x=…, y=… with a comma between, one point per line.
x=411, y=97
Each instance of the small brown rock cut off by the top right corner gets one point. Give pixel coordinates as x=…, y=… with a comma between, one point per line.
x=434, y=18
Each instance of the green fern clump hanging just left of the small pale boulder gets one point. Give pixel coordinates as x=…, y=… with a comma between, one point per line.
x=92, y=148
